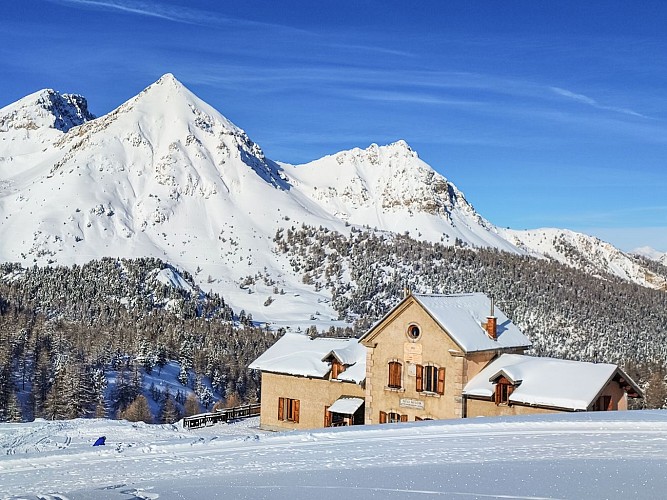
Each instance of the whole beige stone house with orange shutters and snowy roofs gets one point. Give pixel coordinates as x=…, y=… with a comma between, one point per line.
x=430, y=357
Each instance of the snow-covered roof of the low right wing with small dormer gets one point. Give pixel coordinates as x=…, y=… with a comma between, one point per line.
x=548, y=382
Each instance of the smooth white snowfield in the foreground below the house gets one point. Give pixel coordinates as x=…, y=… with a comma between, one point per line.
x=584, y=455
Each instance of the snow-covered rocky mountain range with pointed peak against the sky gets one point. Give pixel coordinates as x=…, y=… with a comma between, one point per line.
x=166, y=175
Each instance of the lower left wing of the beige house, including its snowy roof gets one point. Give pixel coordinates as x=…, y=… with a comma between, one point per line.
x=312, y=382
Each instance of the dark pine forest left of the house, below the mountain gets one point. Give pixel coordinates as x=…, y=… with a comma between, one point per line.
x=63, y=331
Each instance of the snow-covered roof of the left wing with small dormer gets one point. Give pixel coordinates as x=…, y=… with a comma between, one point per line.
x=298, y=354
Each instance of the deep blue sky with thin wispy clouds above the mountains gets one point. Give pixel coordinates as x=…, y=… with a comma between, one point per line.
x=545, y=114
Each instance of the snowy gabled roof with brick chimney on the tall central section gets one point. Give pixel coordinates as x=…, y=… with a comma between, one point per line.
x=461, y=316
